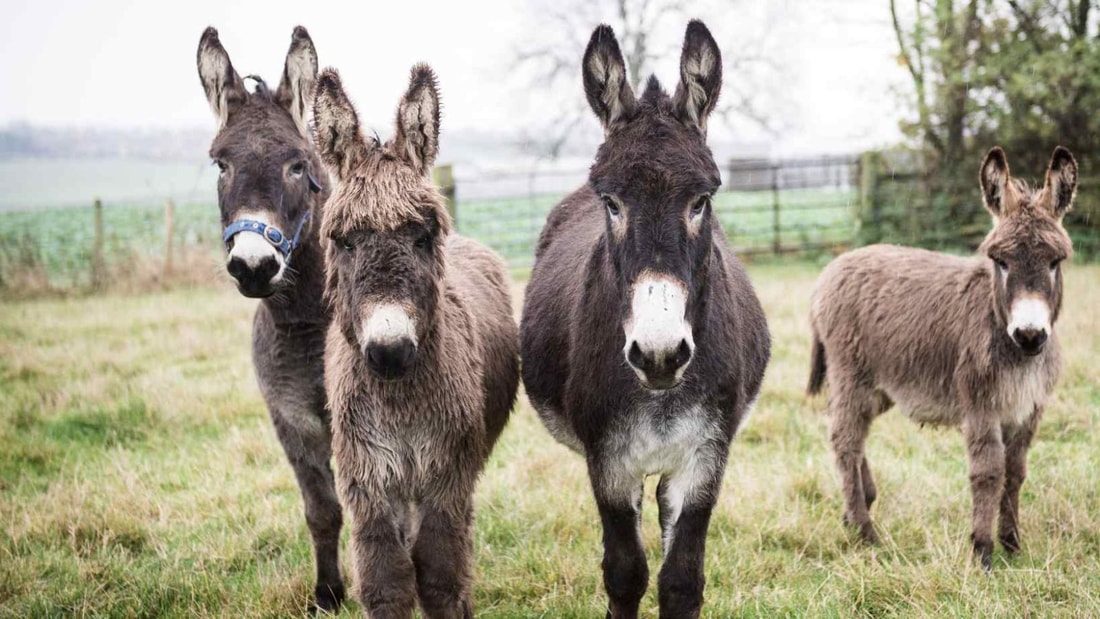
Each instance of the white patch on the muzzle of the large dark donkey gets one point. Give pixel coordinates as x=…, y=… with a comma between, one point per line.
x=658, y=305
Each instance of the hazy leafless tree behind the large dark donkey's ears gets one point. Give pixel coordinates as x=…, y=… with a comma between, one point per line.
x=650, y=34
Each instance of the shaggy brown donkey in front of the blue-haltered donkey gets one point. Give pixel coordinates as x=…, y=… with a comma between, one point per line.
x=422, y=361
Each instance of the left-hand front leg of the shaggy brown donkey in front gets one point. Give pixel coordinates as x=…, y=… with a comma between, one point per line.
x=384, y=573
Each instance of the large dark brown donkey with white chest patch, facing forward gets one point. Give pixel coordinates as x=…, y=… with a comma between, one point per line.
x=644, y=344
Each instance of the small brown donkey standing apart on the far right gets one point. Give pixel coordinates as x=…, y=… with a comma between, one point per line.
x=954, y=341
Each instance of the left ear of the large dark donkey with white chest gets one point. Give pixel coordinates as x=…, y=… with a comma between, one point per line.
x=606, y=85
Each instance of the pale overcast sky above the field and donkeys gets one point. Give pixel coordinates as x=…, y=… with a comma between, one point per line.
x=122, y=63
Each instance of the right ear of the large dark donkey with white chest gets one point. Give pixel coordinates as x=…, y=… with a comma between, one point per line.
x=700, y=76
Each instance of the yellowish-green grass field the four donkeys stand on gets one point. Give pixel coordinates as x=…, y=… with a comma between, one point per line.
x=140, y=477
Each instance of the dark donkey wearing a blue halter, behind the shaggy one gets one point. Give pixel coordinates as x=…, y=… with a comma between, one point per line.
x=271, y=194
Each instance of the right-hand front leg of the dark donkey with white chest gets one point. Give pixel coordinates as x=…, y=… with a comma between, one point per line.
x=687, y=500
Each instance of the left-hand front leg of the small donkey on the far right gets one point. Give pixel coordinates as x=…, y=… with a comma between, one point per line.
x=986, y=455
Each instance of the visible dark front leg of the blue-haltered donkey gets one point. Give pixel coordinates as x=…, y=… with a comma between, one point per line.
x=309, y=446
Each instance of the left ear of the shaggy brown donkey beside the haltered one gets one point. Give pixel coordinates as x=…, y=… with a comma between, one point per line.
x=336, y=126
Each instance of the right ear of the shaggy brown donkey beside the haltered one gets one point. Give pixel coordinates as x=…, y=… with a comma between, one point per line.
x=417, y=139
